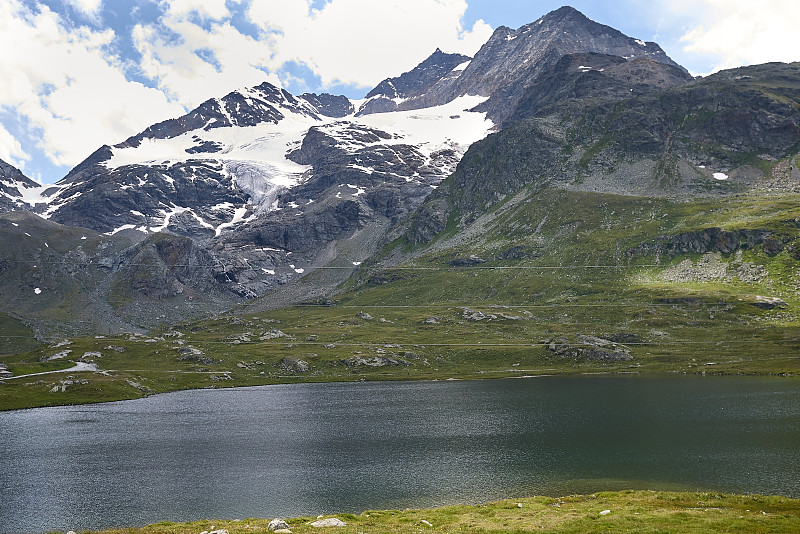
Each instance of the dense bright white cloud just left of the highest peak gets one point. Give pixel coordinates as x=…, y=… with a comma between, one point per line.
x=361, y=42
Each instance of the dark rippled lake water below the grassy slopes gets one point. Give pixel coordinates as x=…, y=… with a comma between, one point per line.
x=307, y=449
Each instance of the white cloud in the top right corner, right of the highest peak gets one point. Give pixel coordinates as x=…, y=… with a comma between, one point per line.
x=742, y=32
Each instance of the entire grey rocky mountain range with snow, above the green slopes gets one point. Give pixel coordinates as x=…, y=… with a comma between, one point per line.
x=265, y=199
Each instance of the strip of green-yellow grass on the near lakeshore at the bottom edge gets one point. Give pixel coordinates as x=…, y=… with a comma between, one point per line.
x=625, y=511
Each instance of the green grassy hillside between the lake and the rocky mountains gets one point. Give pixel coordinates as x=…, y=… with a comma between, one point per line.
x=548, y=282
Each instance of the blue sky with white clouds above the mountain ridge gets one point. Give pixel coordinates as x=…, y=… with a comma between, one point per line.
x=92, y=72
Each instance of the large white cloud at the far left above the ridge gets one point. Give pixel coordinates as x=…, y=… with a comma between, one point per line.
x=69, y=87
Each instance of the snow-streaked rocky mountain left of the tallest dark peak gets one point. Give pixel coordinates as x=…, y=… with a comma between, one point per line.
x=242, y=197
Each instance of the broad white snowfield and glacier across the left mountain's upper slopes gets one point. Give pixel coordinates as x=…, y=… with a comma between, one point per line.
x=255, y=156
